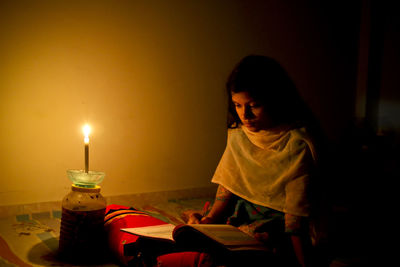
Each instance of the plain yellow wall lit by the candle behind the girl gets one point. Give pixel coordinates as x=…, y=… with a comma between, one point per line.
x=147, y=75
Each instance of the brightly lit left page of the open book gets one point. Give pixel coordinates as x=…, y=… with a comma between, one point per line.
x=162, y=231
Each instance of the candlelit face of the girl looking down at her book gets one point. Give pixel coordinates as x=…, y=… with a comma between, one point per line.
x=251, y=113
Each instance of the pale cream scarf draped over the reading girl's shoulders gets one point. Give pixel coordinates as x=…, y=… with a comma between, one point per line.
x=269, y=168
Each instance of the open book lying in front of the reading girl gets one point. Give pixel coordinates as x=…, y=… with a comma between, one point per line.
x=200, y=235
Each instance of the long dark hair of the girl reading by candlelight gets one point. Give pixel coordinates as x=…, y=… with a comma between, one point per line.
x=268, y=83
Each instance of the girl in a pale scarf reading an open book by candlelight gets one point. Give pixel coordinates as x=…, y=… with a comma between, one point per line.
x=264, y=176
